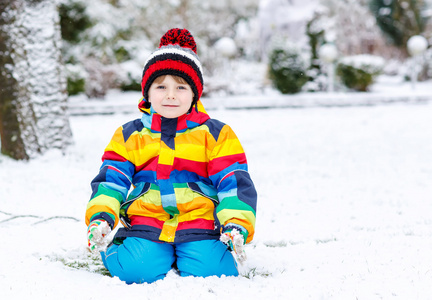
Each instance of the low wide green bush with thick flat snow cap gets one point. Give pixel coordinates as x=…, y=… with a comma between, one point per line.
x=358, y=72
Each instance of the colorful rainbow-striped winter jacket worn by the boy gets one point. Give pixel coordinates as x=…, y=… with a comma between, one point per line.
x=189, y=178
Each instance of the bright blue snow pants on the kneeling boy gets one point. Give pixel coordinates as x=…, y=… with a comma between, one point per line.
x=139, y=260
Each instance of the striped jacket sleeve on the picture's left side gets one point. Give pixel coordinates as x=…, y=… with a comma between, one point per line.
x=110, y=187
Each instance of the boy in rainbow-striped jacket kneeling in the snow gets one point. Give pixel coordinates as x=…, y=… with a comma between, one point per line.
x=189, y=175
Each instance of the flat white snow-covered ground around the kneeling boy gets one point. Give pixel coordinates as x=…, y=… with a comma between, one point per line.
x=344, y=210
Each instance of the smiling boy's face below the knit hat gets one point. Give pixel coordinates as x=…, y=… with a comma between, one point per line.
x=169, y=98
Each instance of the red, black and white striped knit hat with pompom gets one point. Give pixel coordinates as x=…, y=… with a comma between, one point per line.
x=176, y=56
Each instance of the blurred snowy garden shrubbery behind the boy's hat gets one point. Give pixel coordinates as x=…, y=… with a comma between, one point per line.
x=249, y=46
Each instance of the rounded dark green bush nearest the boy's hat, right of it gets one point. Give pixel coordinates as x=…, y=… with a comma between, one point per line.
x=287, y=69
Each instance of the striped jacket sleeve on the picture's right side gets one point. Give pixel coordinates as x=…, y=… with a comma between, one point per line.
x=236, y=192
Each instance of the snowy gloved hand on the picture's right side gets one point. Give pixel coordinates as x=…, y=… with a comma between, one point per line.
x=234, y=236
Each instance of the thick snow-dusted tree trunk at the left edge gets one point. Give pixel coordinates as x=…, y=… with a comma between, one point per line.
x=33, y=97
